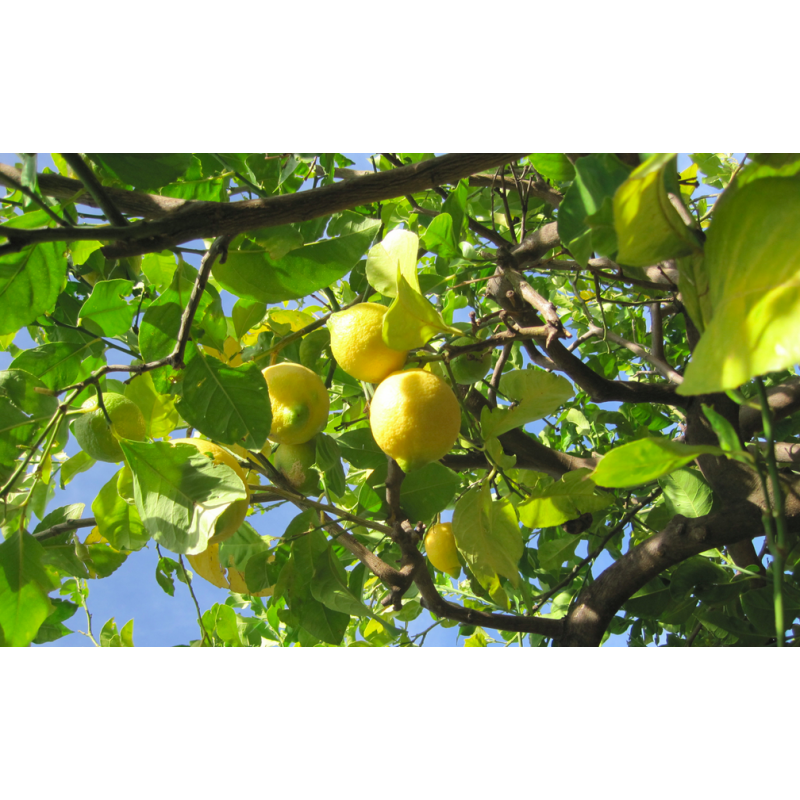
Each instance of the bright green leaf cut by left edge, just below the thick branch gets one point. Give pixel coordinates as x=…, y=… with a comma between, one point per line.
x=30, y=282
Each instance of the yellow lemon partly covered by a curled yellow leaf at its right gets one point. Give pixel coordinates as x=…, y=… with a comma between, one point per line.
x=357, y=345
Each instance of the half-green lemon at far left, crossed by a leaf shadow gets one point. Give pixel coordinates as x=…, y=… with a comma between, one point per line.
x=99, y=439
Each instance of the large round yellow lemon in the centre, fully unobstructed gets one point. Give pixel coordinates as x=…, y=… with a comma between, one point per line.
x=415, y=418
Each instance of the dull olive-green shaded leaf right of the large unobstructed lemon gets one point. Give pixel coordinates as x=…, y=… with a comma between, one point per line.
x=536, y=394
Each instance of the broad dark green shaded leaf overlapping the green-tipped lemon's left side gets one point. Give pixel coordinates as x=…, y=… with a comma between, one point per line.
x=228, y=404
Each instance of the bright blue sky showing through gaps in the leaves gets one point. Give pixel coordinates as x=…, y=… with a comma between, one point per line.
x=132, y=592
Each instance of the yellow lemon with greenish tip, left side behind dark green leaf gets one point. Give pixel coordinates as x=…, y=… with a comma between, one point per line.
x=299, y=403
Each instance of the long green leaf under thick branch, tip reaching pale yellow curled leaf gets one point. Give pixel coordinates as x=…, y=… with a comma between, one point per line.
x=253, y=275
